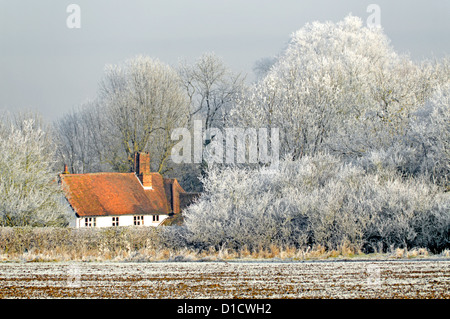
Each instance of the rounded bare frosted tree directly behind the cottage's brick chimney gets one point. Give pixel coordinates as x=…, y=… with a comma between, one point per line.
x=143, y=101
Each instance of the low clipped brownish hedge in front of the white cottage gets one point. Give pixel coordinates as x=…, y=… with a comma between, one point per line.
x=72, y=243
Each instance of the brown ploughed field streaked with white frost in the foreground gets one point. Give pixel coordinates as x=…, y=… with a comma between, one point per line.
x=316, y=279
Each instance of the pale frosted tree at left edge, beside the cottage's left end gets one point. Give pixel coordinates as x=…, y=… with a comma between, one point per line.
x=29, y=190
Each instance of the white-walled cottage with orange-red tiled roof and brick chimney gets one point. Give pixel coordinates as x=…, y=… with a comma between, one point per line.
x=141, y=198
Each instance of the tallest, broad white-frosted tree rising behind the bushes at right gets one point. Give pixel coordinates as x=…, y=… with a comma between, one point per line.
x=338, y=87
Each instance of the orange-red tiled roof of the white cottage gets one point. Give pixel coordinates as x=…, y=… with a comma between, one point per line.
x=105, y=194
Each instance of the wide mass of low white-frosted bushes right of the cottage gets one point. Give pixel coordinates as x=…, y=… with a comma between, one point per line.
x=319, y=200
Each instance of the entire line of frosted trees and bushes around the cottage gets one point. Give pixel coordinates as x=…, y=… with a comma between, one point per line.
x=363, y=144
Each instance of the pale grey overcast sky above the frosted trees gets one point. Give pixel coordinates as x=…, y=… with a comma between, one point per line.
x=46, y=66
